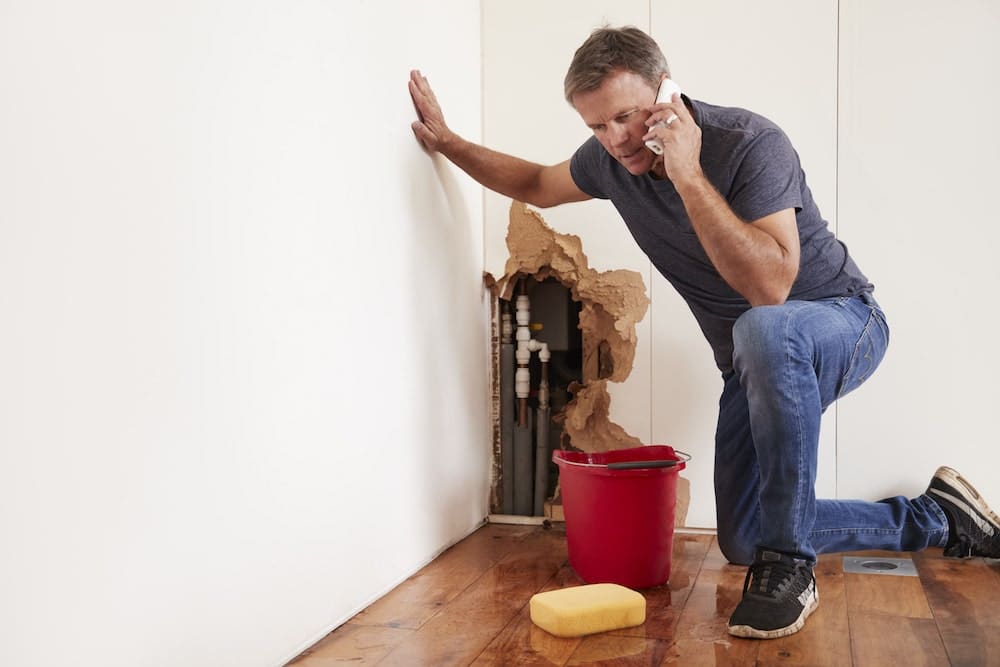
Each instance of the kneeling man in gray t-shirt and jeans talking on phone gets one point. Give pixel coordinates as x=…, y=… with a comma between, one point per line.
x=726, y=216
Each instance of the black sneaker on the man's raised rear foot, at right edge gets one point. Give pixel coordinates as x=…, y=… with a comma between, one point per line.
x=973, y=528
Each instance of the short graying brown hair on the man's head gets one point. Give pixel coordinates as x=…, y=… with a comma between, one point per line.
x=611, y=49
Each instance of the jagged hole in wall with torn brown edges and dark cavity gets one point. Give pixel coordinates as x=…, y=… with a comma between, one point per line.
x=607, y=305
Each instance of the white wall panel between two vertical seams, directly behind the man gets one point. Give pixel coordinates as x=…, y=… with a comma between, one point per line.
x=777, y=58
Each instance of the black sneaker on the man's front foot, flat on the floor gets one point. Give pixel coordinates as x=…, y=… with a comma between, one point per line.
x=779, y=593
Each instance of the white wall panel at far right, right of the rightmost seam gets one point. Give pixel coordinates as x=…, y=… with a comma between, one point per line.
x=918, y=175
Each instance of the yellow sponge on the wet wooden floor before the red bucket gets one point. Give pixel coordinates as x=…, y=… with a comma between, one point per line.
x=584, y=610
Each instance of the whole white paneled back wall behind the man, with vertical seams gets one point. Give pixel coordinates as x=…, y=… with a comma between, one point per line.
x=906, y=184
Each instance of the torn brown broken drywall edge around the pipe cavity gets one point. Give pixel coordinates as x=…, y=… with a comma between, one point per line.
x=612, y=303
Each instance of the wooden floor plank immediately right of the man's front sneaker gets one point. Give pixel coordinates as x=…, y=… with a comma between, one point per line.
x=826, y=639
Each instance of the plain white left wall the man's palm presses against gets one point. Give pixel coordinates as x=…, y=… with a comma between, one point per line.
x=242, y=313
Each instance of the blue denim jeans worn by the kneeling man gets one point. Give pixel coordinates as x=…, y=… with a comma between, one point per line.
x=790, y=363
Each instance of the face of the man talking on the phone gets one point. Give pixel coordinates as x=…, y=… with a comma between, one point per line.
x=616, y=112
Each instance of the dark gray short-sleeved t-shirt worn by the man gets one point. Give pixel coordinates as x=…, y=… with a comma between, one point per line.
x=752, y=164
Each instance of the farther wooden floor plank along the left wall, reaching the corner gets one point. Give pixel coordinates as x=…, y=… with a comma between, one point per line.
x=416, y=600
